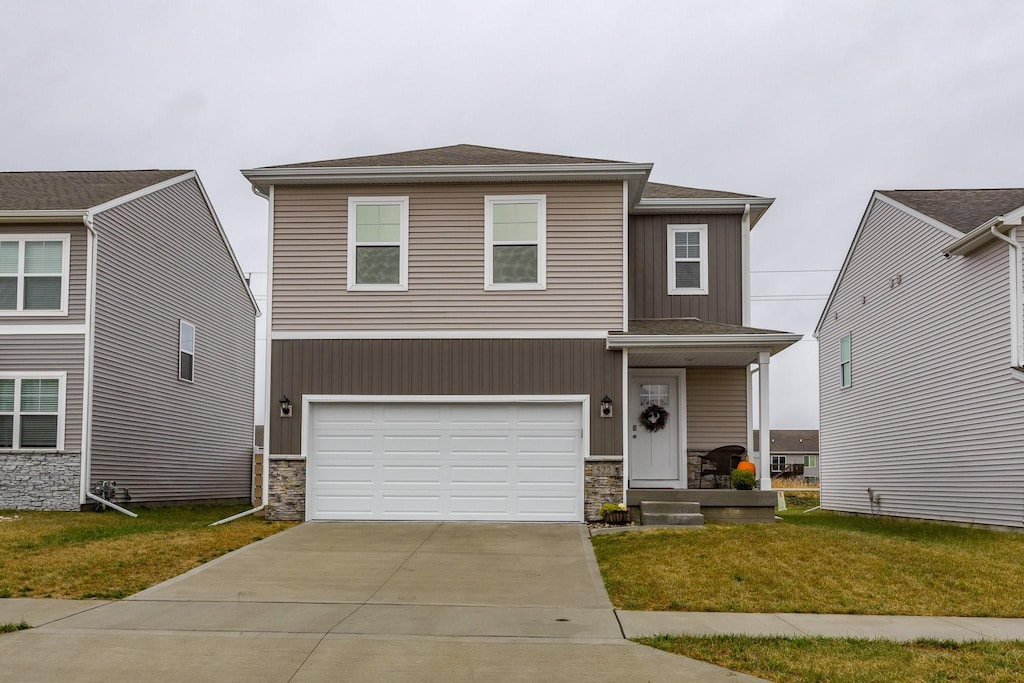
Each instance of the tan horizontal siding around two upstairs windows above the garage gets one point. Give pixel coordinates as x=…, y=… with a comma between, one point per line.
x=446, y=262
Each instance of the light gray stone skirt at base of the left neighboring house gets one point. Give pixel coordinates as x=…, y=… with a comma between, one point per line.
x=40, y=481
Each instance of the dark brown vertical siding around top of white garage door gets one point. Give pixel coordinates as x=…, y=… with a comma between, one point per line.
x=413, y=367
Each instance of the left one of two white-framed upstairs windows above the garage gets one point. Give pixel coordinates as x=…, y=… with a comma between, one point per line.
x=378, y=244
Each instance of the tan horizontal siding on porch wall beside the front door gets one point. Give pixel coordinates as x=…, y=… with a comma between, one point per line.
x=716, y=407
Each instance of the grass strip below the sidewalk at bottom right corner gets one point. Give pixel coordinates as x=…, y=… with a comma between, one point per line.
x=852, y=661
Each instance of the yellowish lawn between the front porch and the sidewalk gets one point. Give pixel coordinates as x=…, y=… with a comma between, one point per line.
x=819, y=563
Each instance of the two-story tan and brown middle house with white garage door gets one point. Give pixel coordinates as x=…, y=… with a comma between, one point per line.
x=472, y=333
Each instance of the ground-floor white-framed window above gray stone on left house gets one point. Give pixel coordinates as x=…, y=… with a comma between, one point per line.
x=32, y=411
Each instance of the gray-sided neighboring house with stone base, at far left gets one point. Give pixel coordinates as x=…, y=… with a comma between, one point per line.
x=126, y=341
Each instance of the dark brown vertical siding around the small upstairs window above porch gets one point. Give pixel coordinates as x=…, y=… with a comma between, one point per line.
x=649, y=270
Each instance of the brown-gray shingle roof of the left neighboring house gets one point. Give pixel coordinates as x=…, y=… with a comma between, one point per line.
x=55, y=191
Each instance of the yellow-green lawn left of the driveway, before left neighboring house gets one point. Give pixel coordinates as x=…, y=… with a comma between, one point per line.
x=110, y=556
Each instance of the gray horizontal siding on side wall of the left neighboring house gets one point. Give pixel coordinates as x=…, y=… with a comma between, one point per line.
x=161, y=259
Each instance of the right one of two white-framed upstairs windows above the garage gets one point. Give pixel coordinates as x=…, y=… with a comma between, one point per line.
x=516, y=242
